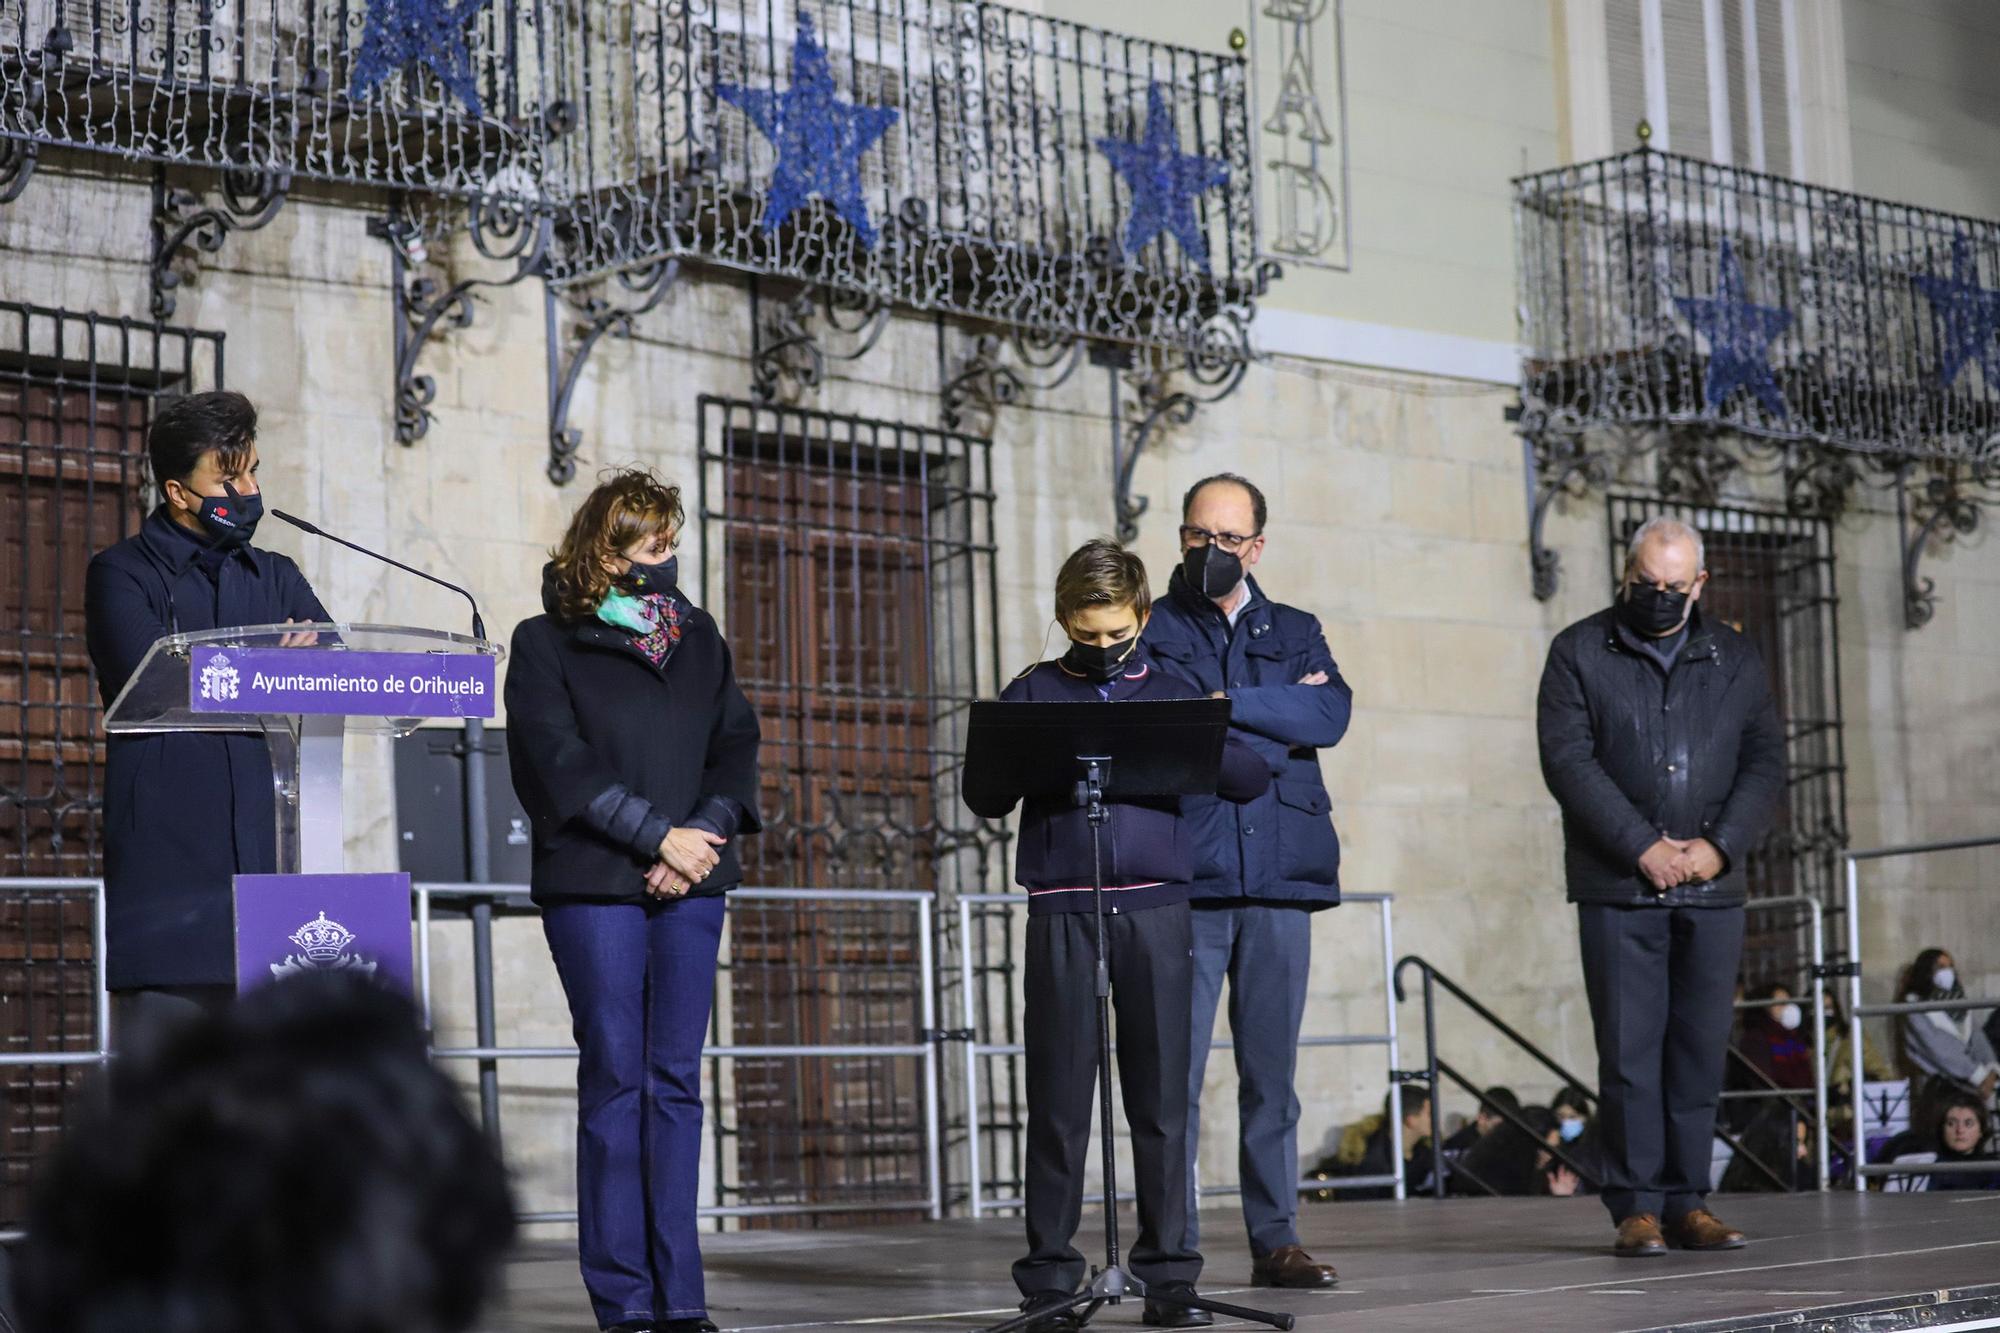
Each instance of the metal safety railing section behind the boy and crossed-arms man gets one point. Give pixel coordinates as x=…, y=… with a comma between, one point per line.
x=977, y=1052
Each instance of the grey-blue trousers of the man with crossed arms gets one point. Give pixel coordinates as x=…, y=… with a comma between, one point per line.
x=1265, y=954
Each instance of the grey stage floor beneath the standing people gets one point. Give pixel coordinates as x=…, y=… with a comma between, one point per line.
x=1825, y=1264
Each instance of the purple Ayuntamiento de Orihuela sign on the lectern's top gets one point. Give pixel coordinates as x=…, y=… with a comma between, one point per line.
x=341, y=682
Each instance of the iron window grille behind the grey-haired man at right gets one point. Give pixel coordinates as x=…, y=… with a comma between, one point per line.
x=1771, y=575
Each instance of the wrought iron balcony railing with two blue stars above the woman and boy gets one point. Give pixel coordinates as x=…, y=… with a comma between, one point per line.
x=1023, y=169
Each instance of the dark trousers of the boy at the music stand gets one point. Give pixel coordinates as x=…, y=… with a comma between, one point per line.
x=1151, y=972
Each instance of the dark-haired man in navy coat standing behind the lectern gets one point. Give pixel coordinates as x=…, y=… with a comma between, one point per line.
x=185, y=814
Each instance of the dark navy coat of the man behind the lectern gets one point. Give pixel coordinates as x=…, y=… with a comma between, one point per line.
x=183, y=814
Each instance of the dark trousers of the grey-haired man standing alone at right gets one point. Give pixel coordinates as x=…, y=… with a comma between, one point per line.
x=1661, y=986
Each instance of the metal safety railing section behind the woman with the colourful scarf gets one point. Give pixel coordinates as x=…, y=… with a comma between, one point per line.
x=919, y=1050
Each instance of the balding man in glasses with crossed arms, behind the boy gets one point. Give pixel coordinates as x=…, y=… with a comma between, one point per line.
x=1261, y=868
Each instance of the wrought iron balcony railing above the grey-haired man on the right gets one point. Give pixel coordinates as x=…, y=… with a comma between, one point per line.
x=1669, y=303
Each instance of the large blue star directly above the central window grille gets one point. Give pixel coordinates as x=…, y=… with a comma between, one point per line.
x=819, y=139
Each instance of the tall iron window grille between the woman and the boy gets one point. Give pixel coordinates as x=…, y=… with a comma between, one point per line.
x=853, y=567
